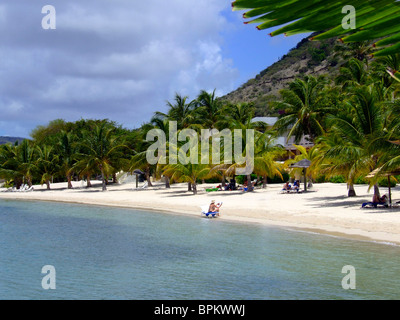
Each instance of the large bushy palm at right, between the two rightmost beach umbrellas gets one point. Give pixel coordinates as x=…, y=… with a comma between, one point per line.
x=356, y=141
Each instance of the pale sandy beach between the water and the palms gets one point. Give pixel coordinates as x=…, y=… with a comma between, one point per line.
x=325, y=208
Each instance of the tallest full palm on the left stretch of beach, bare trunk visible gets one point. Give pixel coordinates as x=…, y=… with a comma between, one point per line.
x=100, y=146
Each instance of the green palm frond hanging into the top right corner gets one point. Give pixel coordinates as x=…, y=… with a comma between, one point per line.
x=374, y=19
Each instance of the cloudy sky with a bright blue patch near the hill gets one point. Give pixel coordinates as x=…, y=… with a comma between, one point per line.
x=122, y=60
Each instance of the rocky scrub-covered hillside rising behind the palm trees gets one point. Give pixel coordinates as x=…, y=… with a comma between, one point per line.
x=308, y=57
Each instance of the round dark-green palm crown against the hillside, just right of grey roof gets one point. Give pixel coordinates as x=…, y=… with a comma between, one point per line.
x=304, y=109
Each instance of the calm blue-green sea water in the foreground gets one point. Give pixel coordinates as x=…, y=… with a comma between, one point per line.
x=109, y=253
